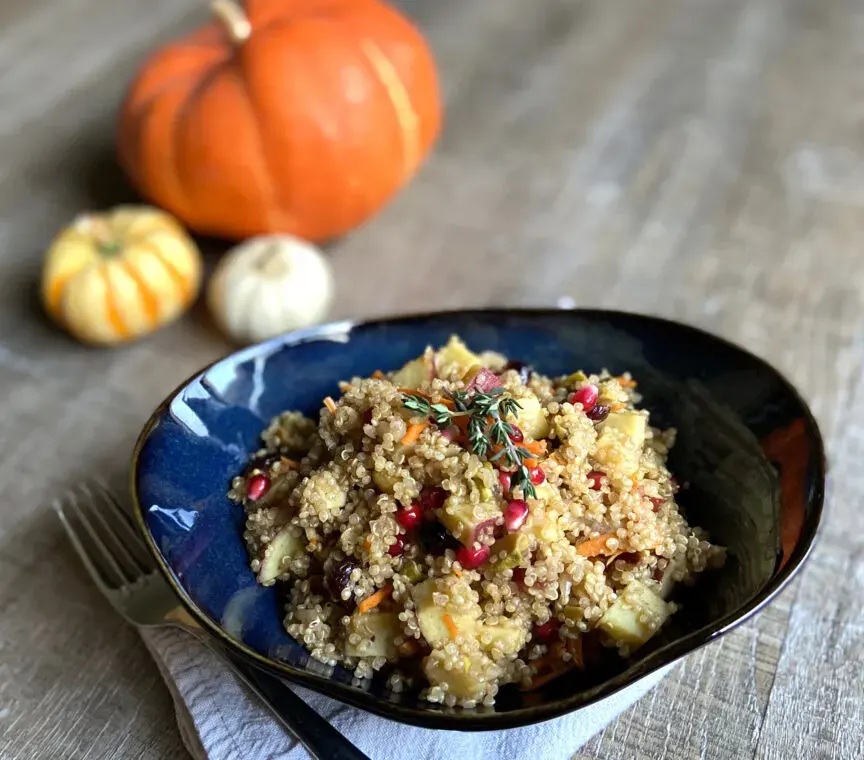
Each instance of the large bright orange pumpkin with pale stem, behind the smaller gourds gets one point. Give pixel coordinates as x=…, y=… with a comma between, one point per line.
x=284, y=116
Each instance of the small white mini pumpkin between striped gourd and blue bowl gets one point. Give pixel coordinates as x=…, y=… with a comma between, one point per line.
x=270, y=285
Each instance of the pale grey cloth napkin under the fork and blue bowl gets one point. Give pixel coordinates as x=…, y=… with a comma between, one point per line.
x=220, y=720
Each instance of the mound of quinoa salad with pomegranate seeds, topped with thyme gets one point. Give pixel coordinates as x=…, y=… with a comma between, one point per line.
x=466, y=522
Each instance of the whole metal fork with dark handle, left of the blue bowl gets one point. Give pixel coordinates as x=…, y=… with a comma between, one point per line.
x=117, y=559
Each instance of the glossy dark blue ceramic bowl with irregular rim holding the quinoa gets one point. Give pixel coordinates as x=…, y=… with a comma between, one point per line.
x=747, y=445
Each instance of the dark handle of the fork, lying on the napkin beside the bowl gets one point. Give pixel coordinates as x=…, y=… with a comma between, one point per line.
x=320, y=738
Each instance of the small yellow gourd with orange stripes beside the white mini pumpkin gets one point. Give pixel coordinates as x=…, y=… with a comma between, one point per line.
x=114, y=277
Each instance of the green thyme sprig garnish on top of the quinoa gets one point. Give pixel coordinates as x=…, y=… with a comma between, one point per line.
x=486, y=428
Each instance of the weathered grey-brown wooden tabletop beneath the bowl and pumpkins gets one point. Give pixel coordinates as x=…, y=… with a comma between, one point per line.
x=697, y=159
